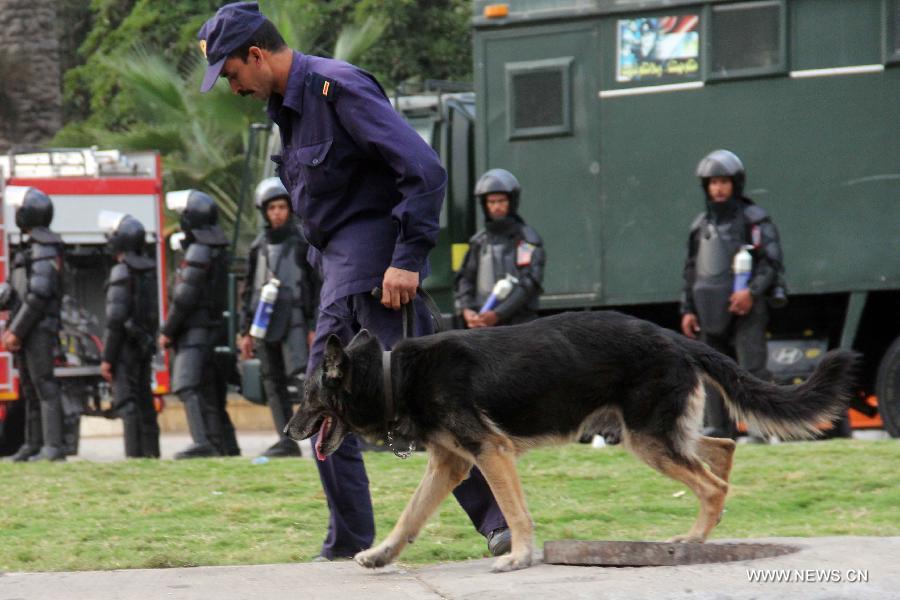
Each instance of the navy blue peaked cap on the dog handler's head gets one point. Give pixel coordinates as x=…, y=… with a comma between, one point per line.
x=229, y=29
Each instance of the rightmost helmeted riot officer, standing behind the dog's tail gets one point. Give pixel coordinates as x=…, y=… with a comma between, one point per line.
x=732, y=322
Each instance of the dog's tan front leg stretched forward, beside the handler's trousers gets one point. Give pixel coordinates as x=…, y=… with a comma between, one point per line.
x=444, y=472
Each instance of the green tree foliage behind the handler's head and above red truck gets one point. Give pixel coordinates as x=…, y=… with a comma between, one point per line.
x=137, y=84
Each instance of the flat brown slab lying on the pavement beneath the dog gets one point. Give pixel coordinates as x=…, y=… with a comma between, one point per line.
x=647, y=554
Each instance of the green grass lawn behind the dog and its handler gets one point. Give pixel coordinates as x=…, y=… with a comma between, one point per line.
x=148, y=514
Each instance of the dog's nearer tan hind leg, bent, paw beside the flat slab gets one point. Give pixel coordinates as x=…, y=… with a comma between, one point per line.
x=709, y=489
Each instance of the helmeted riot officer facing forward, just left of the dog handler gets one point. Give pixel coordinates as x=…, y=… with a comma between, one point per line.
x=279, y=252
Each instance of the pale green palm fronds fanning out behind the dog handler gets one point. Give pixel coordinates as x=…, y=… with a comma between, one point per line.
x=204, y=140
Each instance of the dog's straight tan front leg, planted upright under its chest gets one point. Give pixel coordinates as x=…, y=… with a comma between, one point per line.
x=497, y=463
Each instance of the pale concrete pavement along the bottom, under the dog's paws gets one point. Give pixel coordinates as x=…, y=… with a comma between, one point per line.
x=824, y=568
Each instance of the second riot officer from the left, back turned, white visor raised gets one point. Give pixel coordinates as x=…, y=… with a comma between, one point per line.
x=132, y=317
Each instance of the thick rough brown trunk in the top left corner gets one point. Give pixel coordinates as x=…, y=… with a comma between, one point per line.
x=31, y=89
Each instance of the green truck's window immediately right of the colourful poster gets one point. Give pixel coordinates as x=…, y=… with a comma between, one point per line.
x=747, y=39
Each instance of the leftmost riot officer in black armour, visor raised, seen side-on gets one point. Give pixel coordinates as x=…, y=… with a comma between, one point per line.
x=33, y=333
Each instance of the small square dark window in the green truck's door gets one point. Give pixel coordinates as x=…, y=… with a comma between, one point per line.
x=538, y=98
